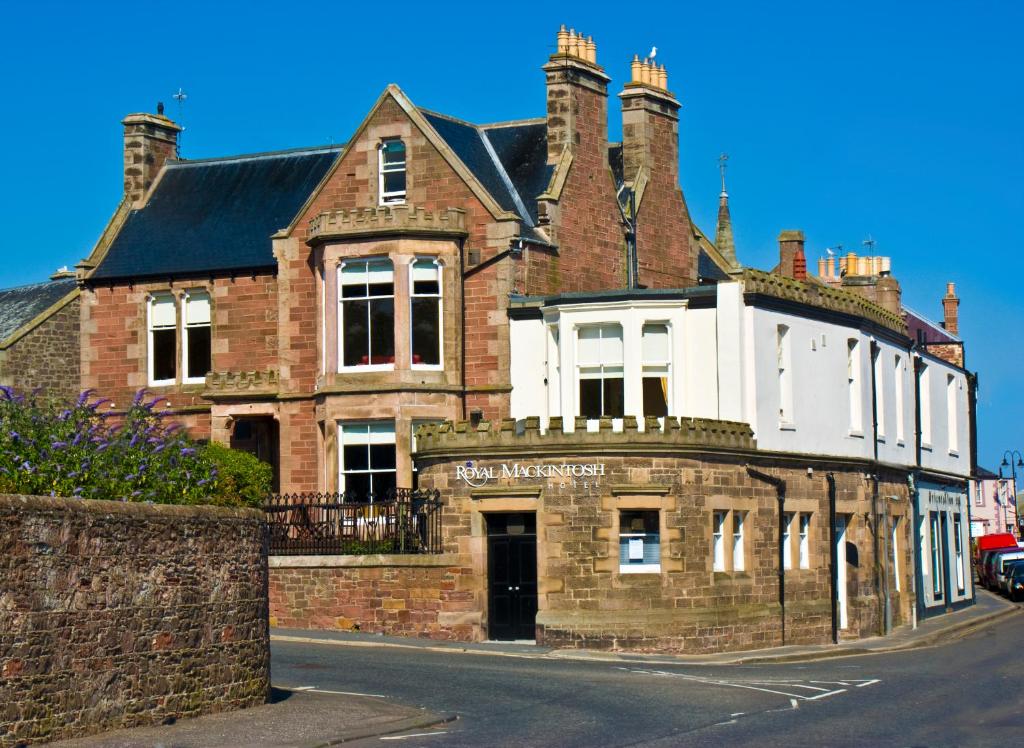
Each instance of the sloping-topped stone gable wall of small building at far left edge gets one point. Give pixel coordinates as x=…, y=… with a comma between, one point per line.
x=48, y=357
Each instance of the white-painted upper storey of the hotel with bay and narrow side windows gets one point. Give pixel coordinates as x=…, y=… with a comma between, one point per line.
x=805, y=384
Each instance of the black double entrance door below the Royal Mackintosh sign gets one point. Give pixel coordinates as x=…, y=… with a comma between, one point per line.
x=513, y=576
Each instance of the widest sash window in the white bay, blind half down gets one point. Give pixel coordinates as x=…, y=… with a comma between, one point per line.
x=600, y=357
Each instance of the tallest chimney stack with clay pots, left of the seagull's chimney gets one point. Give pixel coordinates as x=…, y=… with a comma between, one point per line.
x=578, y=94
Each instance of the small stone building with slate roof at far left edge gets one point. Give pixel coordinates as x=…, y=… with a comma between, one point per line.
x=39, y=337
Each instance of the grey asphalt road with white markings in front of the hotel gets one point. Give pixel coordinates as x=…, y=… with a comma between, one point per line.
x=968, y=693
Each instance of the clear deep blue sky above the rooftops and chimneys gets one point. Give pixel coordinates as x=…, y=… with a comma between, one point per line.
x=900, y=120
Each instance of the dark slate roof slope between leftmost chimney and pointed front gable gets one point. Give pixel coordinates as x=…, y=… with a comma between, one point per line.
x=216, y=215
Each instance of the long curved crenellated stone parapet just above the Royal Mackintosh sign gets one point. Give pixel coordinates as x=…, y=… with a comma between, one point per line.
x=526, y=437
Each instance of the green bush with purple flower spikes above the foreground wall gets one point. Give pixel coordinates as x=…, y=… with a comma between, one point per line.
x=86, y=450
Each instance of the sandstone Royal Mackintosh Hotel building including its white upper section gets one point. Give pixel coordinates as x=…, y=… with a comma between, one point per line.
x=608, y=402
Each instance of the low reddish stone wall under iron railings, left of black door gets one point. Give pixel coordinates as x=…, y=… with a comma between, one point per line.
x=419, y=596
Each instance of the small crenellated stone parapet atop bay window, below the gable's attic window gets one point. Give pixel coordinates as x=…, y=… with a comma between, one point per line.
x=386, y=221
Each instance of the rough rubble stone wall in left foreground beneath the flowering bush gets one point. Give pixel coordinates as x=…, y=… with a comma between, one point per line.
x=117, y=615
